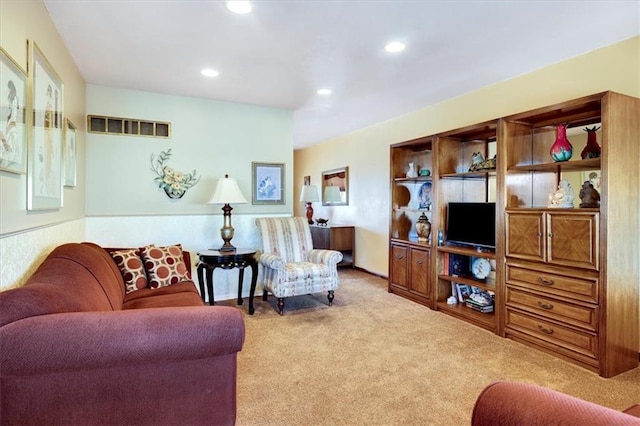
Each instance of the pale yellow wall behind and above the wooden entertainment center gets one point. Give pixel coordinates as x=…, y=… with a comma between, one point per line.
x=366, y=151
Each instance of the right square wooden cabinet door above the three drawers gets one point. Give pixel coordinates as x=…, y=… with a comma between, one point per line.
x=572, y=239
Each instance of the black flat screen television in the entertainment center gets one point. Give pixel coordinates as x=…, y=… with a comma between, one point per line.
x=472, y=224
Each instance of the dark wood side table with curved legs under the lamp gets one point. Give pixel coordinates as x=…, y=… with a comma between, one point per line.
x=209, y=260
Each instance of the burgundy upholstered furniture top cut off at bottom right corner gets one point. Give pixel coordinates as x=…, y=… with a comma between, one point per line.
x=512, y=403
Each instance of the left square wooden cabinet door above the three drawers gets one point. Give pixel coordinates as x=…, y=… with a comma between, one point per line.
x=525, y=232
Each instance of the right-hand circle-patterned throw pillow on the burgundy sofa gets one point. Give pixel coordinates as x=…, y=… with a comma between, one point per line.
x=164, y=265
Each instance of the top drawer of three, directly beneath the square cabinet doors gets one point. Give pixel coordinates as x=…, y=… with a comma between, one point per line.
x=584, y=289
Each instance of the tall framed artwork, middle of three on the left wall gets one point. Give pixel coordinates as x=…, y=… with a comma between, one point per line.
x=44, y=171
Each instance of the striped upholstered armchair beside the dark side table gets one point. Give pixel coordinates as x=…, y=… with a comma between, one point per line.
x=291, y=266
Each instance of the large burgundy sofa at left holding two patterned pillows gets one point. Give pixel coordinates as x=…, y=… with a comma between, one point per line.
x=75, y=350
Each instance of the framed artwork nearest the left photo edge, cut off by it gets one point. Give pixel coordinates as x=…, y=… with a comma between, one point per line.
x=13, y=125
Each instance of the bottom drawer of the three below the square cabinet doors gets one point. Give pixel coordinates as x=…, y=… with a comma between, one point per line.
x=576, y=341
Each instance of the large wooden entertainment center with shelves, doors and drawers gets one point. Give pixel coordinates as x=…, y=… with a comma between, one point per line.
x=563, y=280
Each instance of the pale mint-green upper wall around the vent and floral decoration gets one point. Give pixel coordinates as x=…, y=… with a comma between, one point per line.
x=214, y=138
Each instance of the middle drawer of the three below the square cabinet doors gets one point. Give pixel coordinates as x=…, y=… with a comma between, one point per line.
x=576, y=315
